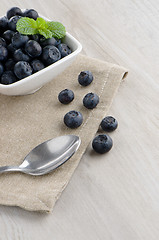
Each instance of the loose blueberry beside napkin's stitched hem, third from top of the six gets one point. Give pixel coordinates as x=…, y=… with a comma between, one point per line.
x=90, y=100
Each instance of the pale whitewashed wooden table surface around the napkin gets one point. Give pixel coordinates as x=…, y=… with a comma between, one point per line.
x=113, y=196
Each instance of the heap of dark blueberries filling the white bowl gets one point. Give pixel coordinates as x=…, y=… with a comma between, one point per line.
x=23, y=55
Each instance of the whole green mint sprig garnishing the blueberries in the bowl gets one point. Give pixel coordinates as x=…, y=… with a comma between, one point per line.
x=48, y=29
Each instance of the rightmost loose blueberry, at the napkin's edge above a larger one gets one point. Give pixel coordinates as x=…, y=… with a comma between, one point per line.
x=109, y=124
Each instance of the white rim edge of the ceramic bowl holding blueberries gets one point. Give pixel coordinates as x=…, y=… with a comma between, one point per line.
x=74, y=53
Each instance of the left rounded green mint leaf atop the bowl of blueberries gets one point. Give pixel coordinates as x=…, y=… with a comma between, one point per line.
x=27, y=26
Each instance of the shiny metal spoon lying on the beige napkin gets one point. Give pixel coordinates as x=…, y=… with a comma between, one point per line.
x=47, y=156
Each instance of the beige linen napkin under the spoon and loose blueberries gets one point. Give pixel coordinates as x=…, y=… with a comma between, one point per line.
x=29, y=120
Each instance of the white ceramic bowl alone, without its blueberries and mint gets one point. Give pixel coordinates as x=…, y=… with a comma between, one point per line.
x=34, y=82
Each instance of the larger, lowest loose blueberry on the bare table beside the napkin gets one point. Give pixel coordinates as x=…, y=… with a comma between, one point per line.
x=102, y=143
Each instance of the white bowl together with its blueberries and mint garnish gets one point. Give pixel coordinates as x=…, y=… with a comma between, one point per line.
x=35, y=58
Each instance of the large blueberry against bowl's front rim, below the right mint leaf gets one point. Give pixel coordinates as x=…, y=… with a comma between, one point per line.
x=50, y=54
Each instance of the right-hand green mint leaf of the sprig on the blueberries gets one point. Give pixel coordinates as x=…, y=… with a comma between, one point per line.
x=57, y=29
